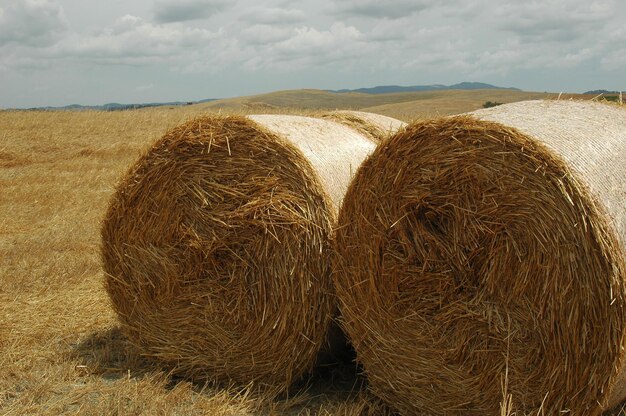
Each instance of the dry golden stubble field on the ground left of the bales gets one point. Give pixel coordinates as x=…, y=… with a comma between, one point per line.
x=61, y=351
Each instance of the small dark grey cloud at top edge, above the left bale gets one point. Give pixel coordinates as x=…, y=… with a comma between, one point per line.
x=169, y=11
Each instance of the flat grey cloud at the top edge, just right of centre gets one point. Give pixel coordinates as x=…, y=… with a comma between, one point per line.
x=392, y=9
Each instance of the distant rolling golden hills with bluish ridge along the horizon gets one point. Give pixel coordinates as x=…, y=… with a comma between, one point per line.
x=406, y=106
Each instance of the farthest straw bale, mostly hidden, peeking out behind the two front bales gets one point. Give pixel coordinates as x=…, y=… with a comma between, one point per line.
x=376, y=126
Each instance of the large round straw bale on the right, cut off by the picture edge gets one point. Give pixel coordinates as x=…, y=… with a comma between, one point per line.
x=482, y=260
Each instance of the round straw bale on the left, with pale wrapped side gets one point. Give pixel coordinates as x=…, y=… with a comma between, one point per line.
x=216, y=245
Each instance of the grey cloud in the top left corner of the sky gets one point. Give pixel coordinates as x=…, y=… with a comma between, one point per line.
x=35, y=23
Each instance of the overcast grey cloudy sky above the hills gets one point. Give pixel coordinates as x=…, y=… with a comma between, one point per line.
x=59, y=52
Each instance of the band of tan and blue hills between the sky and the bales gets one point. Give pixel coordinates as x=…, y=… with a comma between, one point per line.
x=396, y=101
